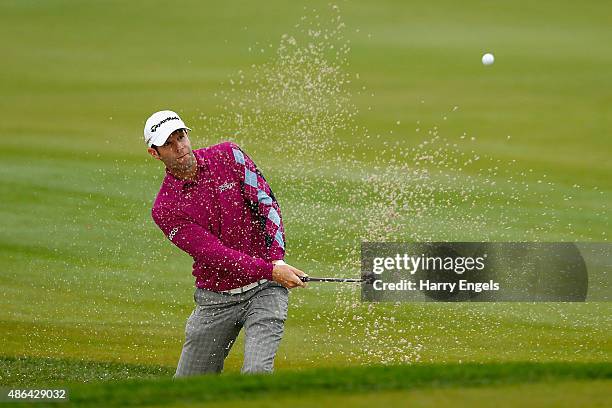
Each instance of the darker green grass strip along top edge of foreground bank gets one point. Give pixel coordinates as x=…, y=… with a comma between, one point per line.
x=310, y=384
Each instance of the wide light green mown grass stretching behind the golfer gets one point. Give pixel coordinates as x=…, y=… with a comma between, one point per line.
x=90, y=286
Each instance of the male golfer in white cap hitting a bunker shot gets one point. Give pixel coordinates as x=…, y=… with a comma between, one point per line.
x=216, y=205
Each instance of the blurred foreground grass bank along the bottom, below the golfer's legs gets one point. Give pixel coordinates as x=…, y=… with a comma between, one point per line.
x=540, y=384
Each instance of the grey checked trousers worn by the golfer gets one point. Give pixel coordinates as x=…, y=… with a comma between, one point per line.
x=216, y=321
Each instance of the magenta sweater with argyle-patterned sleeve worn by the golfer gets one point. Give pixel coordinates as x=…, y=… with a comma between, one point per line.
x=228, y=220
